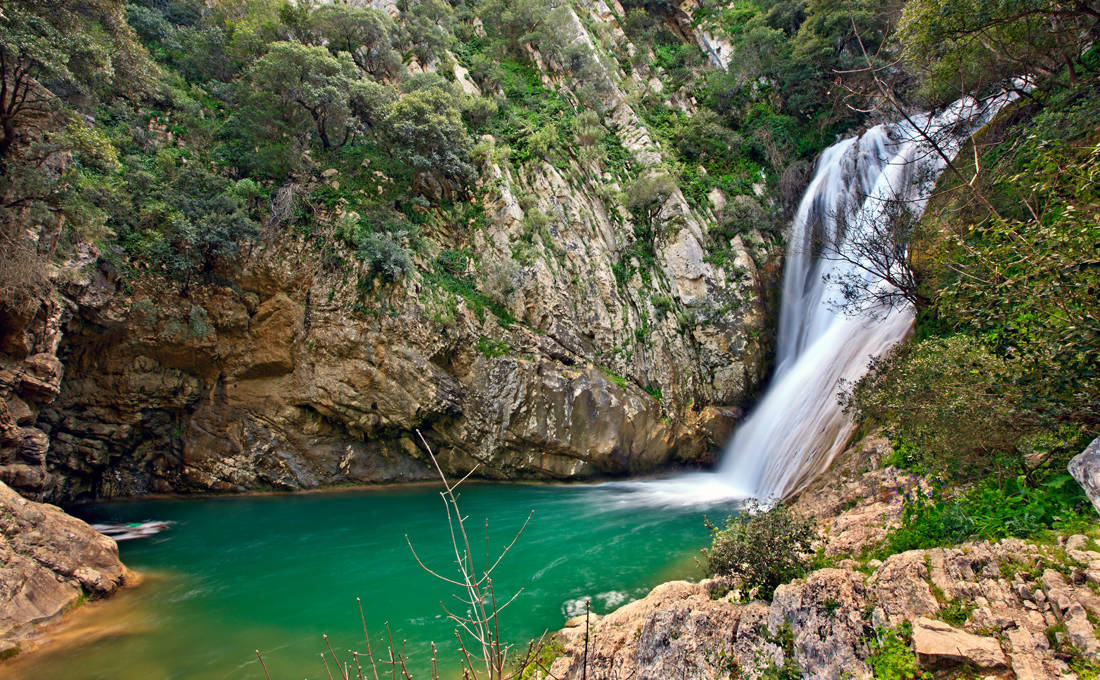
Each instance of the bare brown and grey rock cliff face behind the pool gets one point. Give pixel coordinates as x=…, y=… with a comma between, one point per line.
x=289, y=375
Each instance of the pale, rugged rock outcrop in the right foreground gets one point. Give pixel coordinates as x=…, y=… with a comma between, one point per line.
x=1013, y=609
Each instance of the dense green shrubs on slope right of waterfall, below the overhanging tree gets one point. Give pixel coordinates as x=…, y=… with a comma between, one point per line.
x=1002, y=379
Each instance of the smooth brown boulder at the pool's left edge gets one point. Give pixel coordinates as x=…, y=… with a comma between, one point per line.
x=51, y=563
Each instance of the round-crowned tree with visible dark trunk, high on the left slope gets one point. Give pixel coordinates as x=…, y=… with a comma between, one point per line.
x=310, y=87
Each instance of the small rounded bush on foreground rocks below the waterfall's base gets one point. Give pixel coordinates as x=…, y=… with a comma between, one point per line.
x=762, y=549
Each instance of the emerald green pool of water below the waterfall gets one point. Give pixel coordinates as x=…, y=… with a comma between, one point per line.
x=274, y=573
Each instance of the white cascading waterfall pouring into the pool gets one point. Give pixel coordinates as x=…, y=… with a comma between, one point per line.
x=799, y=426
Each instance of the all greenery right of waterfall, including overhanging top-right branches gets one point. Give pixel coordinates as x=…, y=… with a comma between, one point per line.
x=999, y=387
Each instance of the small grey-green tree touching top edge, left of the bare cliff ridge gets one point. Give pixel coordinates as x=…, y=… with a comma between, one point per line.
x=365, y=34
